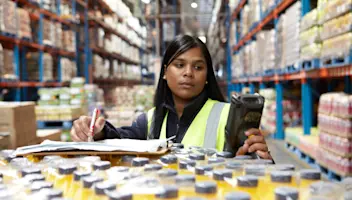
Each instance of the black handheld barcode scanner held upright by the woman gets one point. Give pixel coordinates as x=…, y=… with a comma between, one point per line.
x=245, y=113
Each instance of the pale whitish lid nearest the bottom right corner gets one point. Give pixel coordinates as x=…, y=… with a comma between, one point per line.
x=324, y=188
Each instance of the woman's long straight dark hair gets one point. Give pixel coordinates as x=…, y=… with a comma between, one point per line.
x=178, y=46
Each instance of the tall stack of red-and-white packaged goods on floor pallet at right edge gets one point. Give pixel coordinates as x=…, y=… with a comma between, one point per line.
x=335, y=132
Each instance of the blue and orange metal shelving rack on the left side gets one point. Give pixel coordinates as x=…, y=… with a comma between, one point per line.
x=21, y=46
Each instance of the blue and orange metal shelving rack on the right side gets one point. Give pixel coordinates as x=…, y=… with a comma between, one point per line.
x=305, y=77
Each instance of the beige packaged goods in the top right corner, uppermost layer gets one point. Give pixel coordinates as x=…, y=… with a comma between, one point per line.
x=335, y=8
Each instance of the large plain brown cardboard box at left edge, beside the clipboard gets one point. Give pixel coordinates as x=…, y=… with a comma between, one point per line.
x=19, y=120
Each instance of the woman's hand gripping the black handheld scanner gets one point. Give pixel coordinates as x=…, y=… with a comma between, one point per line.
x=255, y=143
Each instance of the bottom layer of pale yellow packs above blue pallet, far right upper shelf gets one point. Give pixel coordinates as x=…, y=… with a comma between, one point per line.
x=337, y=46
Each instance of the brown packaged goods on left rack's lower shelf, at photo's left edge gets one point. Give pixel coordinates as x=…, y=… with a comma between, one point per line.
x=7, y=66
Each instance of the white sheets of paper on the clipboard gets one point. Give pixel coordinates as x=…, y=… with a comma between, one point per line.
x=109, y=145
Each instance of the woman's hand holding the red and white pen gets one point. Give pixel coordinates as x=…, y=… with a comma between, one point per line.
x=80, y=129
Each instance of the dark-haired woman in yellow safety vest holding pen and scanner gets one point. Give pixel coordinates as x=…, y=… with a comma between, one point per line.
x=187, y=97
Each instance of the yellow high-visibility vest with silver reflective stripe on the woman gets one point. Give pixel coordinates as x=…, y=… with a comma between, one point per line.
x=207, y=128
